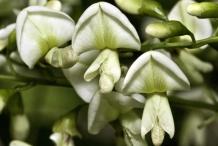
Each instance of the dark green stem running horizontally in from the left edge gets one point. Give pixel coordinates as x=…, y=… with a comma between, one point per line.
x=38, y=81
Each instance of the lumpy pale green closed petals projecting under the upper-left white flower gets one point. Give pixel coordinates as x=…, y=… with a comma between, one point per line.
x=63, y=58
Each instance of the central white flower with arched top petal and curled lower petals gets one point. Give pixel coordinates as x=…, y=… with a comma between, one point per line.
x=103, y=27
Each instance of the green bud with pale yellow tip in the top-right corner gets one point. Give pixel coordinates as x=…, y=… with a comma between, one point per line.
x=203, y=10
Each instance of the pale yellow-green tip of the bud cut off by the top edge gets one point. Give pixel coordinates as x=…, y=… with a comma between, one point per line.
x=129, y=6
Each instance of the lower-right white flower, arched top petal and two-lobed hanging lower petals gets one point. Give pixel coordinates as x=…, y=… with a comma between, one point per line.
x=155, y=74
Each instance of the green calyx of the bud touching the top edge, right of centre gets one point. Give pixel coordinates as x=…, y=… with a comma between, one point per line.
x=154, y=9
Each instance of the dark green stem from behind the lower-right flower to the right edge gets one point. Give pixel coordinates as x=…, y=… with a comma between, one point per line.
x=196, y=104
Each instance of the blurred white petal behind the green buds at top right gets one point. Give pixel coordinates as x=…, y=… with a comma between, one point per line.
x=201, y=28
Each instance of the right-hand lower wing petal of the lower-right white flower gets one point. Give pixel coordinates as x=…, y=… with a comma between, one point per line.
x=165, y=116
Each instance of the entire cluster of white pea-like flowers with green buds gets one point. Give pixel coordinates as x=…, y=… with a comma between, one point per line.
x=103, y=59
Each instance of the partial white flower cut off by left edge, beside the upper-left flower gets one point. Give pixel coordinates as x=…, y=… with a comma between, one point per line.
x=4, y=35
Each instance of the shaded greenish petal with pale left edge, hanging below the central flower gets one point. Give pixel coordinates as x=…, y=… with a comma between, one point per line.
x=100, y=112
